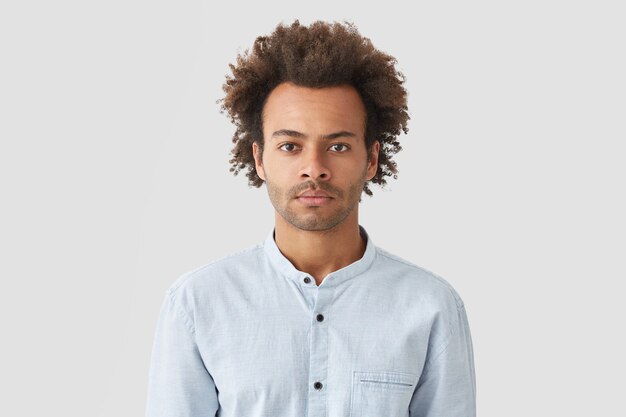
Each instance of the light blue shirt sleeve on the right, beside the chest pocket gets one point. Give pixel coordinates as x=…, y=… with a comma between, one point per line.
x=447, y=385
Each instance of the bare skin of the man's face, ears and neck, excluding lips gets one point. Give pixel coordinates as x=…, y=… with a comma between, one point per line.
x=315, y=139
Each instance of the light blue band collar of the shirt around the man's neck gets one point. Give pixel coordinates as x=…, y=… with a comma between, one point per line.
x=287, y=269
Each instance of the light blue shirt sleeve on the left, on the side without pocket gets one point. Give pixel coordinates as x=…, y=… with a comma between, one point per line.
x=179, y=384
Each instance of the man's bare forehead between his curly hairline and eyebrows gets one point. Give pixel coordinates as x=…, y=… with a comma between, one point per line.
x=293, y=106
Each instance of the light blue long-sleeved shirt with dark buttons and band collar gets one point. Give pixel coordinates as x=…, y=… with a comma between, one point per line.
x=249, y=335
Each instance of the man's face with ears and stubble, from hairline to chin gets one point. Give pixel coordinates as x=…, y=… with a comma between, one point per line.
x=314, y=143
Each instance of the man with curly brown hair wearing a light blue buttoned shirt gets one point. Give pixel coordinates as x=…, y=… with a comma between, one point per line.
x=316, y=320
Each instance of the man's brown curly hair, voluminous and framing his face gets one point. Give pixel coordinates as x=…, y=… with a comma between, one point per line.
x=317, y=56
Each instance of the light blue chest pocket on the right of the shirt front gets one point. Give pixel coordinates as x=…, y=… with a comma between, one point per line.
x=381, y=393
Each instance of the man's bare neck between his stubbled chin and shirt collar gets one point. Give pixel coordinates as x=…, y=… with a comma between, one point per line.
x=319, y=253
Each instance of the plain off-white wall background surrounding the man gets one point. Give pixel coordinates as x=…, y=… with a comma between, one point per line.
x=115, y=180
